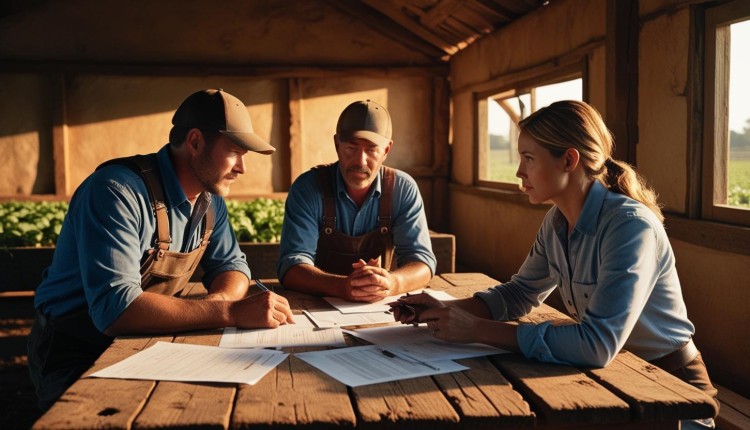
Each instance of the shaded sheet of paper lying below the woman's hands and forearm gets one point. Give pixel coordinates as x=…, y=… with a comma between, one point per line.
x=419, y=344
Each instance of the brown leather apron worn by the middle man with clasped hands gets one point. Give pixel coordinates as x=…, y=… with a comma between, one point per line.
x=337, y=251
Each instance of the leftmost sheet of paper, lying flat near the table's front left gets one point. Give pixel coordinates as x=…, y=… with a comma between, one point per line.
x=166, y=361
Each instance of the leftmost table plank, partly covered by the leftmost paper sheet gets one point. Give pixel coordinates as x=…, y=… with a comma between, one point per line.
x=103, y=403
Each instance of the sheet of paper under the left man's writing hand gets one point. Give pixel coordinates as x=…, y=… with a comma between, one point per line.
x=285, y=335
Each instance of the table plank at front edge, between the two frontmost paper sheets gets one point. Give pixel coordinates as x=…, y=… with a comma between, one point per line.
x=292, y=395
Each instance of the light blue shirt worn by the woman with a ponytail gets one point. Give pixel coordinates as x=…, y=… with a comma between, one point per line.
x=616, y=274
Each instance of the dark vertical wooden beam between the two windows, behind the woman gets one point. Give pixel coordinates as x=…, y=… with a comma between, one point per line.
x=622, y=77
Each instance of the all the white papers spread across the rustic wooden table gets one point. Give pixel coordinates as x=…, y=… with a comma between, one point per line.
x=399, y=351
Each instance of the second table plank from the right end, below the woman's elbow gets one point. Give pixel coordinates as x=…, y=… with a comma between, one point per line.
x=563, y=395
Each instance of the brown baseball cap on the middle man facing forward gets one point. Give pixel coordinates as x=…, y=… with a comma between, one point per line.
x=366, y=120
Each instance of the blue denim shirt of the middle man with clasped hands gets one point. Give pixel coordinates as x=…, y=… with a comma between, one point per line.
x=303, y=219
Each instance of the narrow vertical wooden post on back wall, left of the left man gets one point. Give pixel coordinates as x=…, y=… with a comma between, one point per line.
x=60, y=140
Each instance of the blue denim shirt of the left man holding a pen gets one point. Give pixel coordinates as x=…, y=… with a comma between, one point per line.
x=108, y=229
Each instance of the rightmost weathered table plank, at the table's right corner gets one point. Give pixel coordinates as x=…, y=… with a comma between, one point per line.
x=653, y=394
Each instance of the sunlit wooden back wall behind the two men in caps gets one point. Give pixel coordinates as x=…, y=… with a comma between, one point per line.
x=85, y=92
